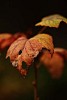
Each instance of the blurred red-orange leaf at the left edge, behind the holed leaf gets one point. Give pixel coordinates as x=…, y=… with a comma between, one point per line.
x=7, y=38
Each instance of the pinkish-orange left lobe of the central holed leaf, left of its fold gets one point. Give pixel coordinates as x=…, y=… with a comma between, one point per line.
x=15, y=47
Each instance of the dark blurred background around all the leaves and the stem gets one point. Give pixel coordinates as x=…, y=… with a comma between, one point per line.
x=19, y=16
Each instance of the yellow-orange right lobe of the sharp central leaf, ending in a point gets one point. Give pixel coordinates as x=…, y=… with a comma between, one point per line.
x=45, y=40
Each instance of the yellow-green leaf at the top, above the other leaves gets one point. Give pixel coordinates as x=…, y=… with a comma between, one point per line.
x=52, y=21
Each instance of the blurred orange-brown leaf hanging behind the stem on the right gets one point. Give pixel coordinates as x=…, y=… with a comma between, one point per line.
x=55, y=64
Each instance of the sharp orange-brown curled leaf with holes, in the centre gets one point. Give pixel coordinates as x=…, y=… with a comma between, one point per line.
x=25, y=50
